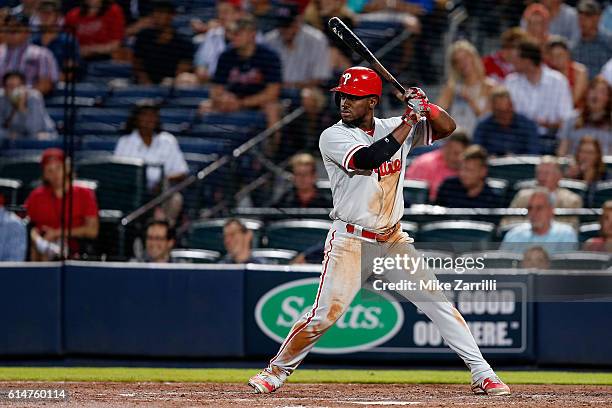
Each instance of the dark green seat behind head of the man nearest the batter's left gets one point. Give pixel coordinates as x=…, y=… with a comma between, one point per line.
x=208, y=234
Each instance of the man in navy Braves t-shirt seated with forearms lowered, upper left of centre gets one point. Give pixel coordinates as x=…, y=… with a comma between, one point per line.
x=248, y=76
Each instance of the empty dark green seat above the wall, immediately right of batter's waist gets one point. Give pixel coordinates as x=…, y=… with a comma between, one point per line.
x=456, y=232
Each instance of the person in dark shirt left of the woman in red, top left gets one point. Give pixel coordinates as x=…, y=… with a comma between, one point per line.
x=62, y=45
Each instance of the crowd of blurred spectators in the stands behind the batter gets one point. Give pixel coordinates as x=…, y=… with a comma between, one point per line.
x=546, y=90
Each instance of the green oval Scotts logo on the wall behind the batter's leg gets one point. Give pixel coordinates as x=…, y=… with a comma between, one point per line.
x=369, y=321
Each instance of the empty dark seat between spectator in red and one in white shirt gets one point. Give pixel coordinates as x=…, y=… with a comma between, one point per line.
x=121, y=181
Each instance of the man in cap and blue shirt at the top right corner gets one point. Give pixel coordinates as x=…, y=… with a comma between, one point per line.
x=594, y=48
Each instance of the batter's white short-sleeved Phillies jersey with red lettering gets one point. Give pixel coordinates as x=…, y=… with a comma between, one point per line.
x=372, y=199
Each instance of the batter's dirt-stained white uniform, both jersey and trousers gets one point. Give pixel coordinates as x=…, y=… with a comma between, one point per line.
x=370, y=201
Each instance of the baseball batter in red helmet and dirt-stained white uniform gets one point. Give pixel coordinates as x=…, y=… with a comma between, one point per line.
x=365, y=158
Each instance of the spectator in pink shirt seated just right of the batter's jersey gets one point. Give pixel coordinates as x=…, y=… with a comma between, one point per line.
x=436, y=166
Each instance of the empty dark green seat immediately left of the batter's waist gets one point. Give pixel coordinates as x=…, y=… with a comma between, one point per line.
x=297, y=235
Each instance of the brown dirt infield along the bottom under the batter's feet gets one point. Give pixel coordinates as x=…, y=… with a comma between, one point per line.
x=91, y=394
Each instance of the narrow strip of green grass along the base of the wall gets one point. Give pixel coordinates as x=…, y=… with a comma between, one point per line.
x=304, y=376
